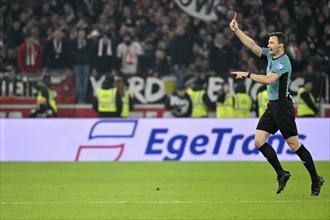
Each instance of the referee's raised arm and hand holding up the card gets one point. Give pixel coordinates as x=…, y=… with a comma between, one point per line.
x=245, y=39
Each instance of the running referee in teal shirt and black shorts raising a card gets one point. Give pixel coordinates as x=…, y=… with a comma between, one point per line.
x=279, y=114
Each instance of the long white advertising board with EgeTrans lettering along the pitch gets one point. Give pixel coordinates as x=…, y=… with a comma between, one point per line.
x=150, y=140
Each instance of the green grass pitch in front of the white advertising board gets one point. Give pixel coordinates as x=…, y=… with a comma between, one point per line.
x=159, y=190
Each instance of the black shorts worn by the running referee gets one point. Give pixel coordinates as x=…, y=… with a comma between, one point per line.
x=279, y=115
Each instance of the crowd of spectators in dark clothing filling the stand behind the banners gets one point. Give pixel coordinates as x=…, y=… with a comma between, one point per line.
x=86, y=37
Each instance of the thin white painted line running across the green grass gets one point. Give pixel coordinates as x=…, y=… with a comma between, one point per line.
x=152, y=202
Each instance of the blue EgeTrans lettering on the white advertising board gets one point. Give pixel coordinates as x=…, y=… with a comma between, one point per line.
x=223, y=142
